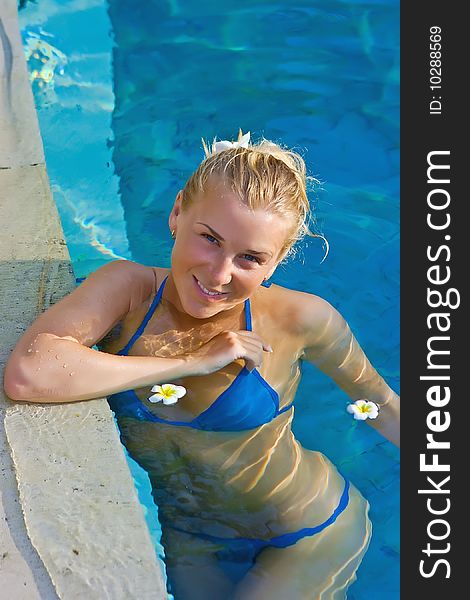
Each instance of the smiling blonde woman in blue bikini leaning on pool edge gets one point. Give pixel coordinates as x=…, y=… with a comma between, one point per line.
x=246, y=512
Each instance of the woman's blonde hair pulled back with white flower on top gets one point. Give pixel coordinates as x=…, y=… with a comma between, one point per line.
x=265, y=176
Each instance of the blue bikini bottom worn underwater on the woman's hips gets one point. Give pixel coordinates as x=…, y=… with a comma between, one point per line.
x=238, y=555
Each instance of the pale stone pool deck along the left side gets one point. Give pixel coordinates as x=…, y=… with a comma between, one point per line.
x=71, y=525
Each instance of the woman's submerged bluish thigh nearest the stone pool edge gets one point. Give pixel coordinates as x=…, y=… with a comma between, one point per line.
x=192, y=568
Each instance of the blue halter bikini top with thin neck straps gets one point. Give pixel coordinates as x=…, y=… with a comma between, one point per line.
x=247, y=403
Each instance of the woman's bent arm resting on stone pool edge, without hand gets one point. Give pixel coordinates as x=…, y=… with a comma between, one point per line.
x=54, y=362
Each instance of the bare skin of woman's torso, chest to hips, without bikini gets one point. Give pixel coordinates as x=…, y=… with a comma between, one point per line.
x=258, y=482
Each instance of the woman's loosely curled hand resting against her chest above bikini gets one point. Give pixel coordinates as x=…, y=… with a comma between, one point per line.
x=225, y=348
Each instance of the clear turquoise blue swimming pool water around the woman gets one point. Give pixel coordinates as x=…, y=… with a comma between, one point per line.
x=134, y=88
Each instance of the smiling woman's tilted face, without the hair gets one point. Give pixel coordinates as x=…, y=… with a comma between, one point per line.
x=223, y=251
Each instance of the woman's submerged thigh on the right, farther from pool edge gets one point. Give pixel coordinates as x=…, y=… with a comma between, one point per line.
x=320, y=567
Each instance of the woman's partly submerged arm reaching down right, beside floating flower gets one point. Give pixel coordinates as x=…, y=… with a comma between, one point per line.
x=330, y=345
